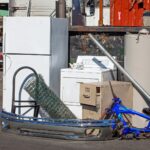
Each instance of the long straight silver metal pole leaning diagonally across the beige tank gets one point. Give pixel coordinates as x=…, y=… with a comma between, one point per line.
x=134, y=82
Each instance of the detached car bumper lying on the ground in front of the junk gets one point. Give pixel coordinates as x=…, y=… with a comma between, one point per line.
x=69, y=129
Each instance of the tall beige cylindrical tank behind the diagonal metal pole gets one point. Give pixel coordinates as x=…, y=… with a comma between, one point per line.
x=137, y=47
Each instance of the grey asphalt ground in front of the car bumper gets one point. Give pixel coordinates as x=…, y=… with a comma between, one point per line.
x=9, y=141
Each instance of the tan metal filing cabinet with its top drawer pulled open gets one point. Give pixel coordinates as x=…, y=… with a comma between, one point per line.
x=95, y=108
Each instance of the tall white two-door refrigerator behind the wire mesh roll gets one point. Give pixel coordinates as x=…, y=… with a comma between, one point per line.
x=37, y=42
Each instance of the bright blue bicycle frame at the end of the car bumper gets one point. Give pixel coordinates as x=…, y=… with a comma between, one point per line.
x=118, y=110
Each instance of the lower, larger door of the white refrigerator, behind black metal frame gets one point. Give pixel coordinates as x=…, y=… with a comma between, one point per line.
x=11, y=63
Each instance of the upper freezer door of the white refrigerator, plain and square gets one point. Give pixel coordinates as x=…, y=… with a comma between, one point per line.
x=26, y=35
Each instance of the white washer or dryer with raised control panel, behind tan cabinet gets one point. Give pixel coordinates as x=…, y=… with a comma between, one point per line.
x=71, y=79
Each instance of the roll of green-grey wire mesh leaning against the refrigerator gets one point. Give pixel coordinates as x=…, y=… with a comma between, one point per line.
x=47, y=99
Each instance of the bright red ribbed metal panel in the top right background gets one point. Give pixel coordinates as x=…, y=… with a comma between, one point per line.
x=122, y=14
